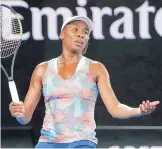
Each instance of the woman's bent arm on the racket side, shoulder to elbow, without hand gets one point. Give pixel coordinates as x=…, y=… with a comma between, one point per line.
x=33, y=95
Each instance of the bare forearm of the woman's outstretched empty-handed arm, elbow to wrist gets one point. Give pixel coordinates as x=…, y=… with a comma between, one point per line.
x=123, y=111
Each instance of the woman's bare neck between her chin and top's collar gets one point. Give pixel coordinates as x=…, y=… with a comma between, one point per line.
x=68, y=57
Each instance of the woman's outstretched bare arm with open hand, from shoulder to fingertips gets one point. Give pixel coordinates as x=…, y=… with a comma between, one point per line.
x=115, y=108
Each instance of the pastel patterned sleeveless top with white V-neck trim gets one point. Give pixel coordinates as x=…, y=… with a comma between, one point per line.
x=69, y=104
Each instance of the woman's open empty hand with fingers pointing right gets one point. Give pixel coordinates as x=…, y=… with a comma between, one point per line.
x=148, y=107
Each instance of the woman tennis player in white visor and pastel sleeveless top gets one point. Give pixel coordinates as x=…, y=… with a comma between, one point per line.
x=70, y=85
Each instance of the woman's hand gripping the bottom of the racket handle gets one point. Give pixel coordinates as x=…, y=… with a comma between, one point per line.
x=17, y=109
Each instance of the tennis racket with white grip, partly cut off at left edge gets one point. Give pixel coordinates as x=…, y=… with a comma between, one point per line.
x=10, y=40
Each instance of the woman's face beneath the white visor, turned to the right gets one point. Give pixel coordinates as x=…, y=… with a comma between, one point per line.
x=75, y=36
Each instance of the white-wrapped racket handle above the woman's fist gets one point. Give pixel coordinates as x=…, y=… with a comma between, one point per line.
x=13, y=91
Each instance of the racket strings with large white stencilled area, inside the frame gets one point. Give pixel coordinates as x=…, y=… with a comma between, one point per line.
x=10, y=33
